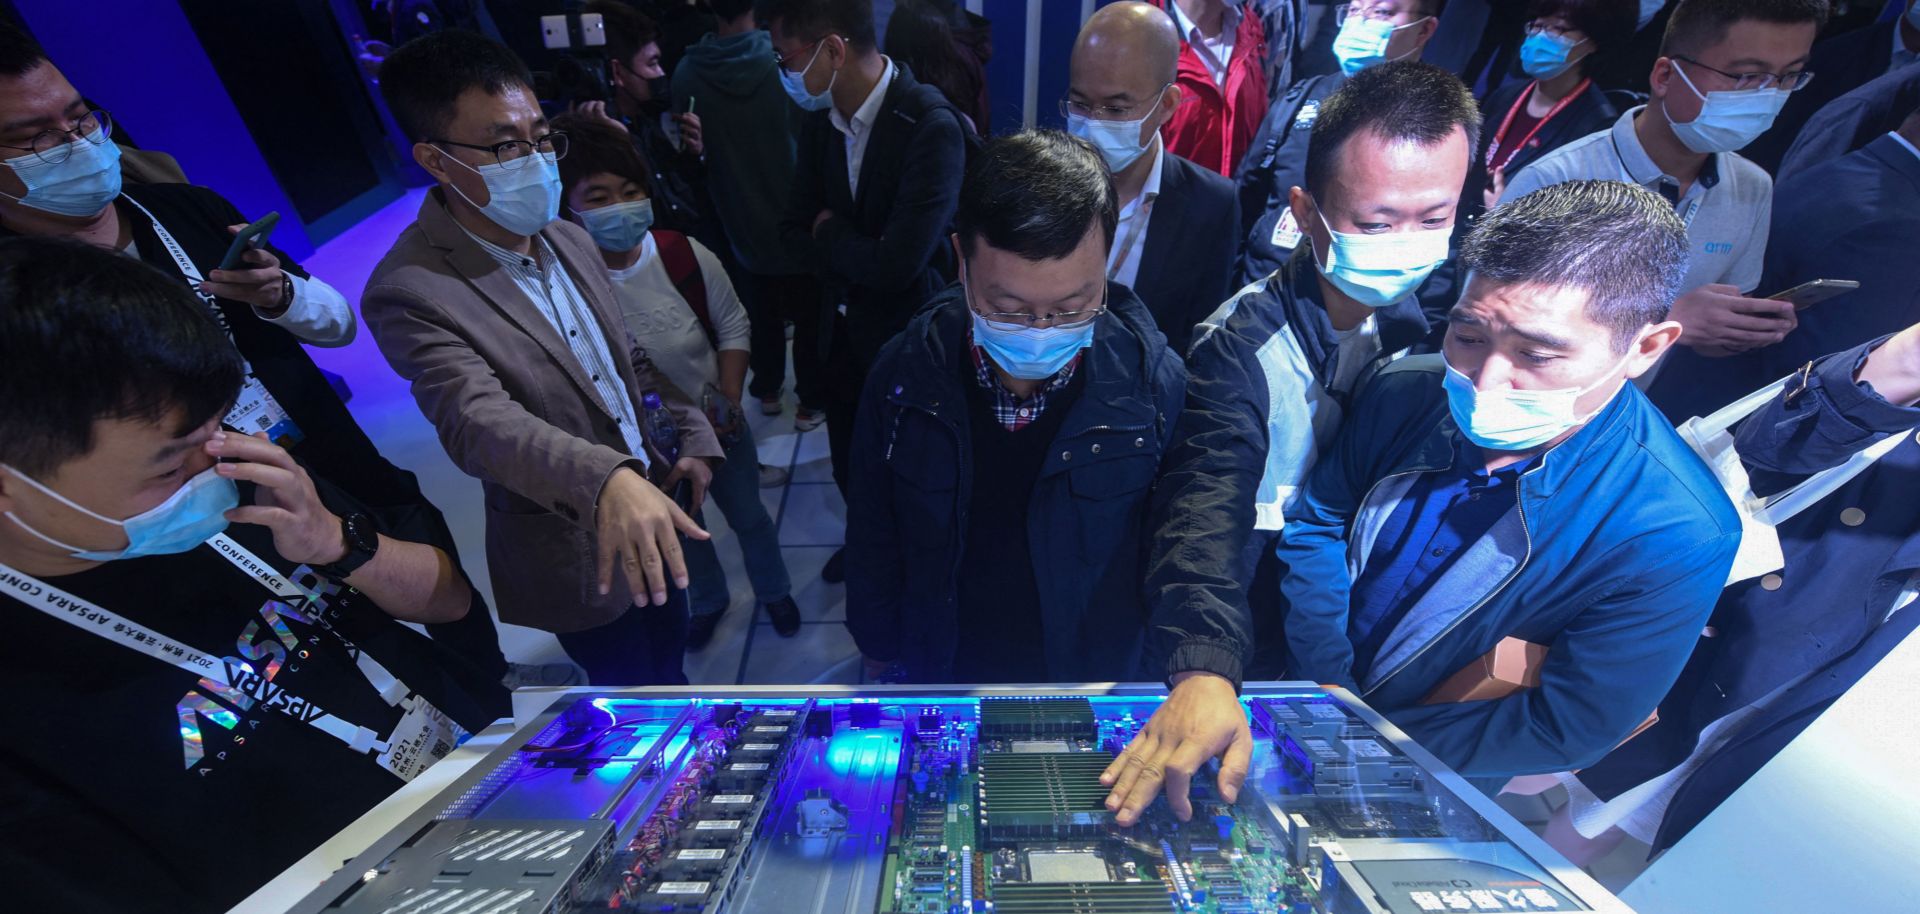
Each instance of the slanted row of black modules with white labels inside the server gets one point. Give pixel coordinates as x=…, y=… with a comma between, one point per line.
x=690, y=852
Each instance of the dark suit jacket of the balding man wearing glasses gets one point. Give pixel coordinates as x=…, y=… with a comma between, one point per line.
x=1189, y=249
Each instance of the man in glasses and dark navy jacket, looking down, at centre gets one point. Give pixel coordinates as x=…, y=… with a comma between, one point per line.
x=1009, y=441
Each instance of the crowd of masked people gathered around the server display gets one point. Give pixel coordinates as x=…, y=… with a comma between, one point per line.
x=1291, y=356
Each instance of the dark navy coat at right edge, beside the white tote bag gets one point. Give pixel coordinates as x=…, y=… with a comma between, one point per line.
x=1823, y=623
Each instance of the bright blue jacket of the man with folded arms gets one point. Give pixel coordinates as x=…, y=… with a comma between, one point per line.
x=1614, y=558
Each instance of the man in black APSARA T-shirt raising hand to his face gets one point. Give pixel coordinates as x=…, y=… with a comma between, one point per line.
x=228, y=627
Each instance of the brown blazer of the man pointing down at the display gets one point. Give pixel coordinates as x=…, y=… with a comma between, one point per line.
x=516, y=410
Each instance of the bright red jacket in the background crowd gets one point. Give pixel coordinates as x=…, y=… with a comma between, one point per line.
x=1216, y=124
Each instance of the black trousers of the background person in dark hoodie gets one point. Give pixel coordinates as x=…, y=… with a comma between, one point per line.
x=771, y=302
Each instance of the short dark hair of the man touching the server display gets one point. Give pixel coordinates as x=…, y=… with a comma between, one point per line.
x=1401, y=101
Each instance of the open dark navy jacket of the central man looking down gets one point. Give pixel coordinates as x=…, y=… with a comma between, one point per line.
x=1088, y=523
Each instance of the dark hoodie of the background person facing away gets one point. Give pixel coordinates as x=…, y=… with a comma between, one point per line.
x=750, y=126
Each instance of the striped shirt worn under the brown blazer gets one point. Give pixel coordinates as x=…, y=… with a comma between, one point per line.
x=554, y=293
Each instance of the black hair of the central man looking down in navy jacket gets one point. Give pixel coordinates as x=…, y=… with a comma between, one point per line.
x=1036, y=195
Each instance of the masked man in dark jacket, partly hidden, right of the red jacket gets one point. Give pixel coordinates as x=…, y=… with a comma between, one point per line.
x=1372, y=34
